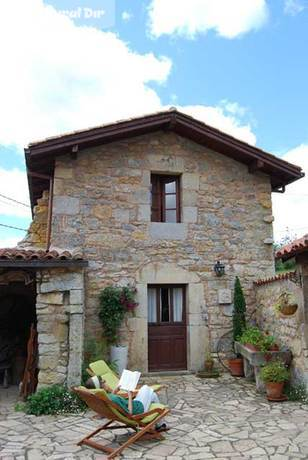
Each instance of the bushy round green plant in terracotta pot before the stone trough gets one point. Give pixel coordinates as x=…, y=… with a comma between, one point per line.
x=274, y=374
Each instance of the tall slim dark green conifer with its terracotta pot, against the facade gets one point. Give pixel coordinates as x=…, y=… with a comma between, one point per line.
x=239, y=325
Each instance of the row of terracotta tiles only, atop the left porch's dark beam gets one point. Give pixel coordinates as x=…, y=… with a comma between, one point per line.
x=36, y=254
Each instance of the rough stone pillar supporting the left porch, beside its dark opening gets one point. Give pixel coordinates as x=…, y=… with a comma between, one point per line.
x=60, y=325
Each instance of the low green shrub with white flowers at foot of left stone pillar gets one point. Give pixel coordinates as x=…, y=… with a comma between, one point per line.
x=54, y=400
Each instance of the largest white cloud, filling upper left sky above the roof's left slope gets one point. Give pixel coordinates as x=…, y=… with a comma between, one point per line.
x=57, y=76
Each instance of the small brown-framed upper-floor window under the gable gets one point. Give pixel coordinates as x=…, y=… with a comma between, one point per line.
x=165, y=198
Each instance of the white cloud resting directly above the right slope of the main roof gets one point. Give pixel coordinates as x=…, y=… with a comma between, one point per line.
x=221, y=118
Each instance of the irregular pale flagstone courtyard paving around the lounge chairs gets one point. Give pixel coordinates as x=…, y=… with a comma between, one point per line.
x=210, y=419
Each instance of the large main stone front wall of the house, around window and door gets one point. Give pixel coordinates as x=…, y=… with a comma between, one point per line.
x=102, y=206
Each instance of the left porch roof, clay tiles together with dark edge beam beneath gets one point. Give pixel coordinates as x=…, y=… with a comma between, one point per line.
x=38, y=258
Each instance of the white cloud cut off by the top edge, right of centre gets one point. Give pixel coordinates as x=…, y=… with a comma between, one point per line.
x=227, y=18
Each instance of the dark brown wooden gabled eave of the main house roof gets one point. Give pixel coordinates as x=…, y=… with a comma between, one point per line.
x=44, y=152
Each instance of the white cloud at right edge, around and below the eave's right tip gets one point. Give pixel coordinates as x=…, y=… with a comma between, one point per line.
x=290, y=208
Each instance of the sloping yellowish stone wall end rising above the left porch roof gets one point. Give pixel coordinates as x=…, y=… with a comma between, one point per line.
x=37, y=232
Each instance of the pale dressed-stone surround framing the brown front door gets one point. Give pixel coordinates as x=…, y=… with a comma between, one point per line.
x=197, y=331
